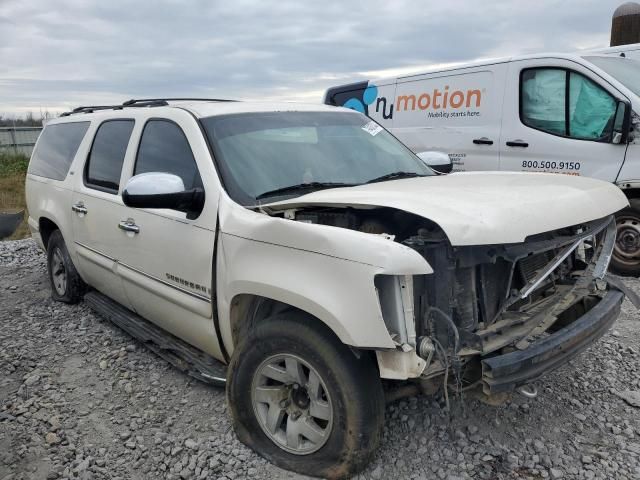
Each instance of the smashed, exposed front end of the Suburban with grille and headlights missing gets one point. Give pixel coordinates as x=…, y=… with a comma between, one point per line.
x=503, y=315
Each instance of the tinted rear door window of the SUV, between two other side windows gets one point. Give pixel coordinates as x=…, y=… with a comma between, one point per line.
x=104, y=164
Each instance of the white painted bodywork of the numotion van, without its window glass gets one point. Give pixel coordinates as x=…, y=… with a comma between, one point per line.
x=474, y=131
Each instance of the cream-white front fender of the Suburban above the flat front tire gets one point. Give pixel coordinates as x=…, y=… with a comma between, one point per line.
x=325, y=271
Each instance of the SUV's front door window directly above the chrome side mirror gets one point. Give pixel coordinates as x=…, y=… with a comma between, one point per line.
x=165, y=148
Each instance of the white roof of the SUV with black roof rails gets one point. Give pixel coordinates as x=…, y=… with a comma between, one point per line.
x=200, y=108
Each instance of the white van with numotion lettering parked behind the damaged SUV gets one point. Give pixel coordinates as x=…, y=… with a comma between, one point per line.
x=575, y=114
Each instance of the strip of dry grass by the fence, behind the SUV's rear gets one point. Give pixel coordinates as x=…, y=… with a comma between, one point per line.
x=13, y=171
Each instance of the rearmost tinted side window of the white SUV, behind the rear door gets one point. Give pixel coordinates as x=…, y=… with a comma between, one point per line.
x=56, y=148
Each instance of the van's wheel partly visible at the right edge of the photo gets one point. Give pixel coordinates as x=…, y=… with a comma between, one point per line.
x=626, y=253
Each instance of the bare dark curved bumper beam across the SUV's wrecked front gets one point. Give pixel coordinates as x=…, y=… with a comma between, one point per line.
x=503, y=373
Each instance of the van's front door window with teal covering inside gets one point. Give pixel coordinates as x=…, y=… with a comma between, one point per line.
x=566, y=103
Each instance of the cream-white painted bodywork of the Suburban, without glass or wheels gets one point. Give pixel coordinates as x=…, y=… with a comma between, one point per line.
x=326, y=271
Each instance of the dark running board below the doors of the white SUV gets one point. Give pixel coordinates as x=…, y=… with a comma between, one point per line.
x=178, y=353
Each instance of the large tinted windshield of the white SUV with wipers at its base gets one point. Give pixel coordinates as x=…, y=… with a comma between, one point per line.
x=260, y=155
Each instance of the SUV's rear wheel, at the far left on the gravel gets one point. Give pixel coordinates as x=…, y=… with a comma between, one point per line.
x=66, y=284
